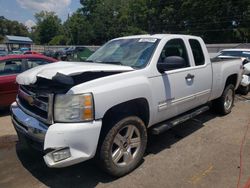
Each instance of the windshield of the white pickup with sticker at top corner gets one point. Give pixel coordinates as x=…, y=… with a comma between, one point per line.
x=129, y=52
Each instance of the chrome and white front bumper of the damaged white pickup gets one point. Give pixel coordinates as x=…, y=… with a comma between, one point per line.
x=80, y=138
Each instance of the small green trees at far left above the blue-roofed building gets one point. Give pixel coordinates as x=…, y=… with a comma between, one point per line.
x=8, y=27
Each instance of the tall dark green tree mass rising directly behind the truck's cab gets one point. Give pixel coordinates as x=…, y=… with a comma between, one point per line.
x=215, y=21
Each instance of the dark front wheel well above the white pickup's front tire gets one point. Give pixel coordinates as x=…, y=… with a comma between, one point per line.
x=138, y=107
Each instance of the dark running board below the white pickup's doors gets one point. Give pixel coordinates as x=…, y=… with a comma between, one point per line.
x=164, y=126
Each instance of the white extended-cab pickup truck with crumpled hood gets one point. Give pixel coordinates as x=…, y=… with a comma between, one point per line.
x=106, y=107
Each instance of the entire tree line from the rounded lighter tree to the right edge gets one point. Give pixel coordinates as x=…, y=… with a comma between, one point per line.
x=96, y=21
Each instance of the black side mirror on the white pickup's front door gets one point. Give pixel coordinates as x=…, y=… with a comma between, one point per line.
x=170, y=63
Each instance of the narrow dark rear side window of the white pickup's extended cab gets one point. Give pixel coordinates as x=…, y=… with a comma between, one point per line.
x=197, y=52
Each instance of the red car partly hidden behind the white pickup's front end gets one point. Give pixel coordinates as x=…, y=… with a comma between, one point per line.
x=12, y=65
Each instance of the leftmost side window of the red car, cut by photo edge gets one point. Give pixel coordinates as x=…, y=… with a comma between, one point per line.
x=10, y=67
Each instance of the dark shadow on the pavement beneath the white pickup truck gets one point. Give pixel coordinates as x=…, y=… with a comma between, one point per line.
x=88, y=174
